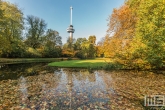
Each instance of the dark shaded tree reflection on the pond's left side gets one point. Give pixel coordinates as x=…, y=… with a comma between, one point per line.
x=15, y=71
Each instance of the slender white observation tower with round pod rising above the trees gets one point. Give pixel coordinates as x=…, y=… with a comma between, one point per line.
x=70, y=28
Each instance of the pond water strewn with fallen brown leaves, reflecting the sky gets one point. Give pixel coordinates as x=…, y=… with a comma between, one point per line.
x=35, y=86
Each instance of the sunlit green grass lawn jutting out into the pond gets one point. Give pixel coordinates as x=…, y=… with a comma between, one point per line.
x=94, y=63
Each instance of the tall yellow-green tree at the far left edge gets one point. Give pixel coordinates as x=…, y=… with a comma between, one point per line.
x=11, y=25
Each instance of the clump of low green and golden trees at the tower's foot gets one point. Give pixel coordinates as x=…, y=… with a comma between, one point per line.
x=81, y=48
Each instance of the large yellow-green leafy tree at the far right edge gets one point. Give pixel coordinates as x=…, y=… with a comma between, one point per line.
x=147, y=47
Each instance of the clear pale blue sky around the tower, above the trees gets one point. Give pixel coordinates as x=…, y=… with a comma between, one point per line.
x=89, y=16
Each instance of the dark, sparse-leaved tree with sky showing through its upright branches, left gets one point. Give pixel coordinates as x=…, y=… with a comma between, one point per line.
x=36, y=28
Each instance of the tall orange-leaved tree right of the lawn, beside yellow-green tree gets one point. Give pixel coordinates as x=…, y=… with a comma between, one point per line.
x=121, y=31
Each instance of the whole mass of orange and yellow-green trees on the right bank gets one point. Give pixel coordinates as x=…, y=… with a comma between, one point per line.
x=135, y=37
